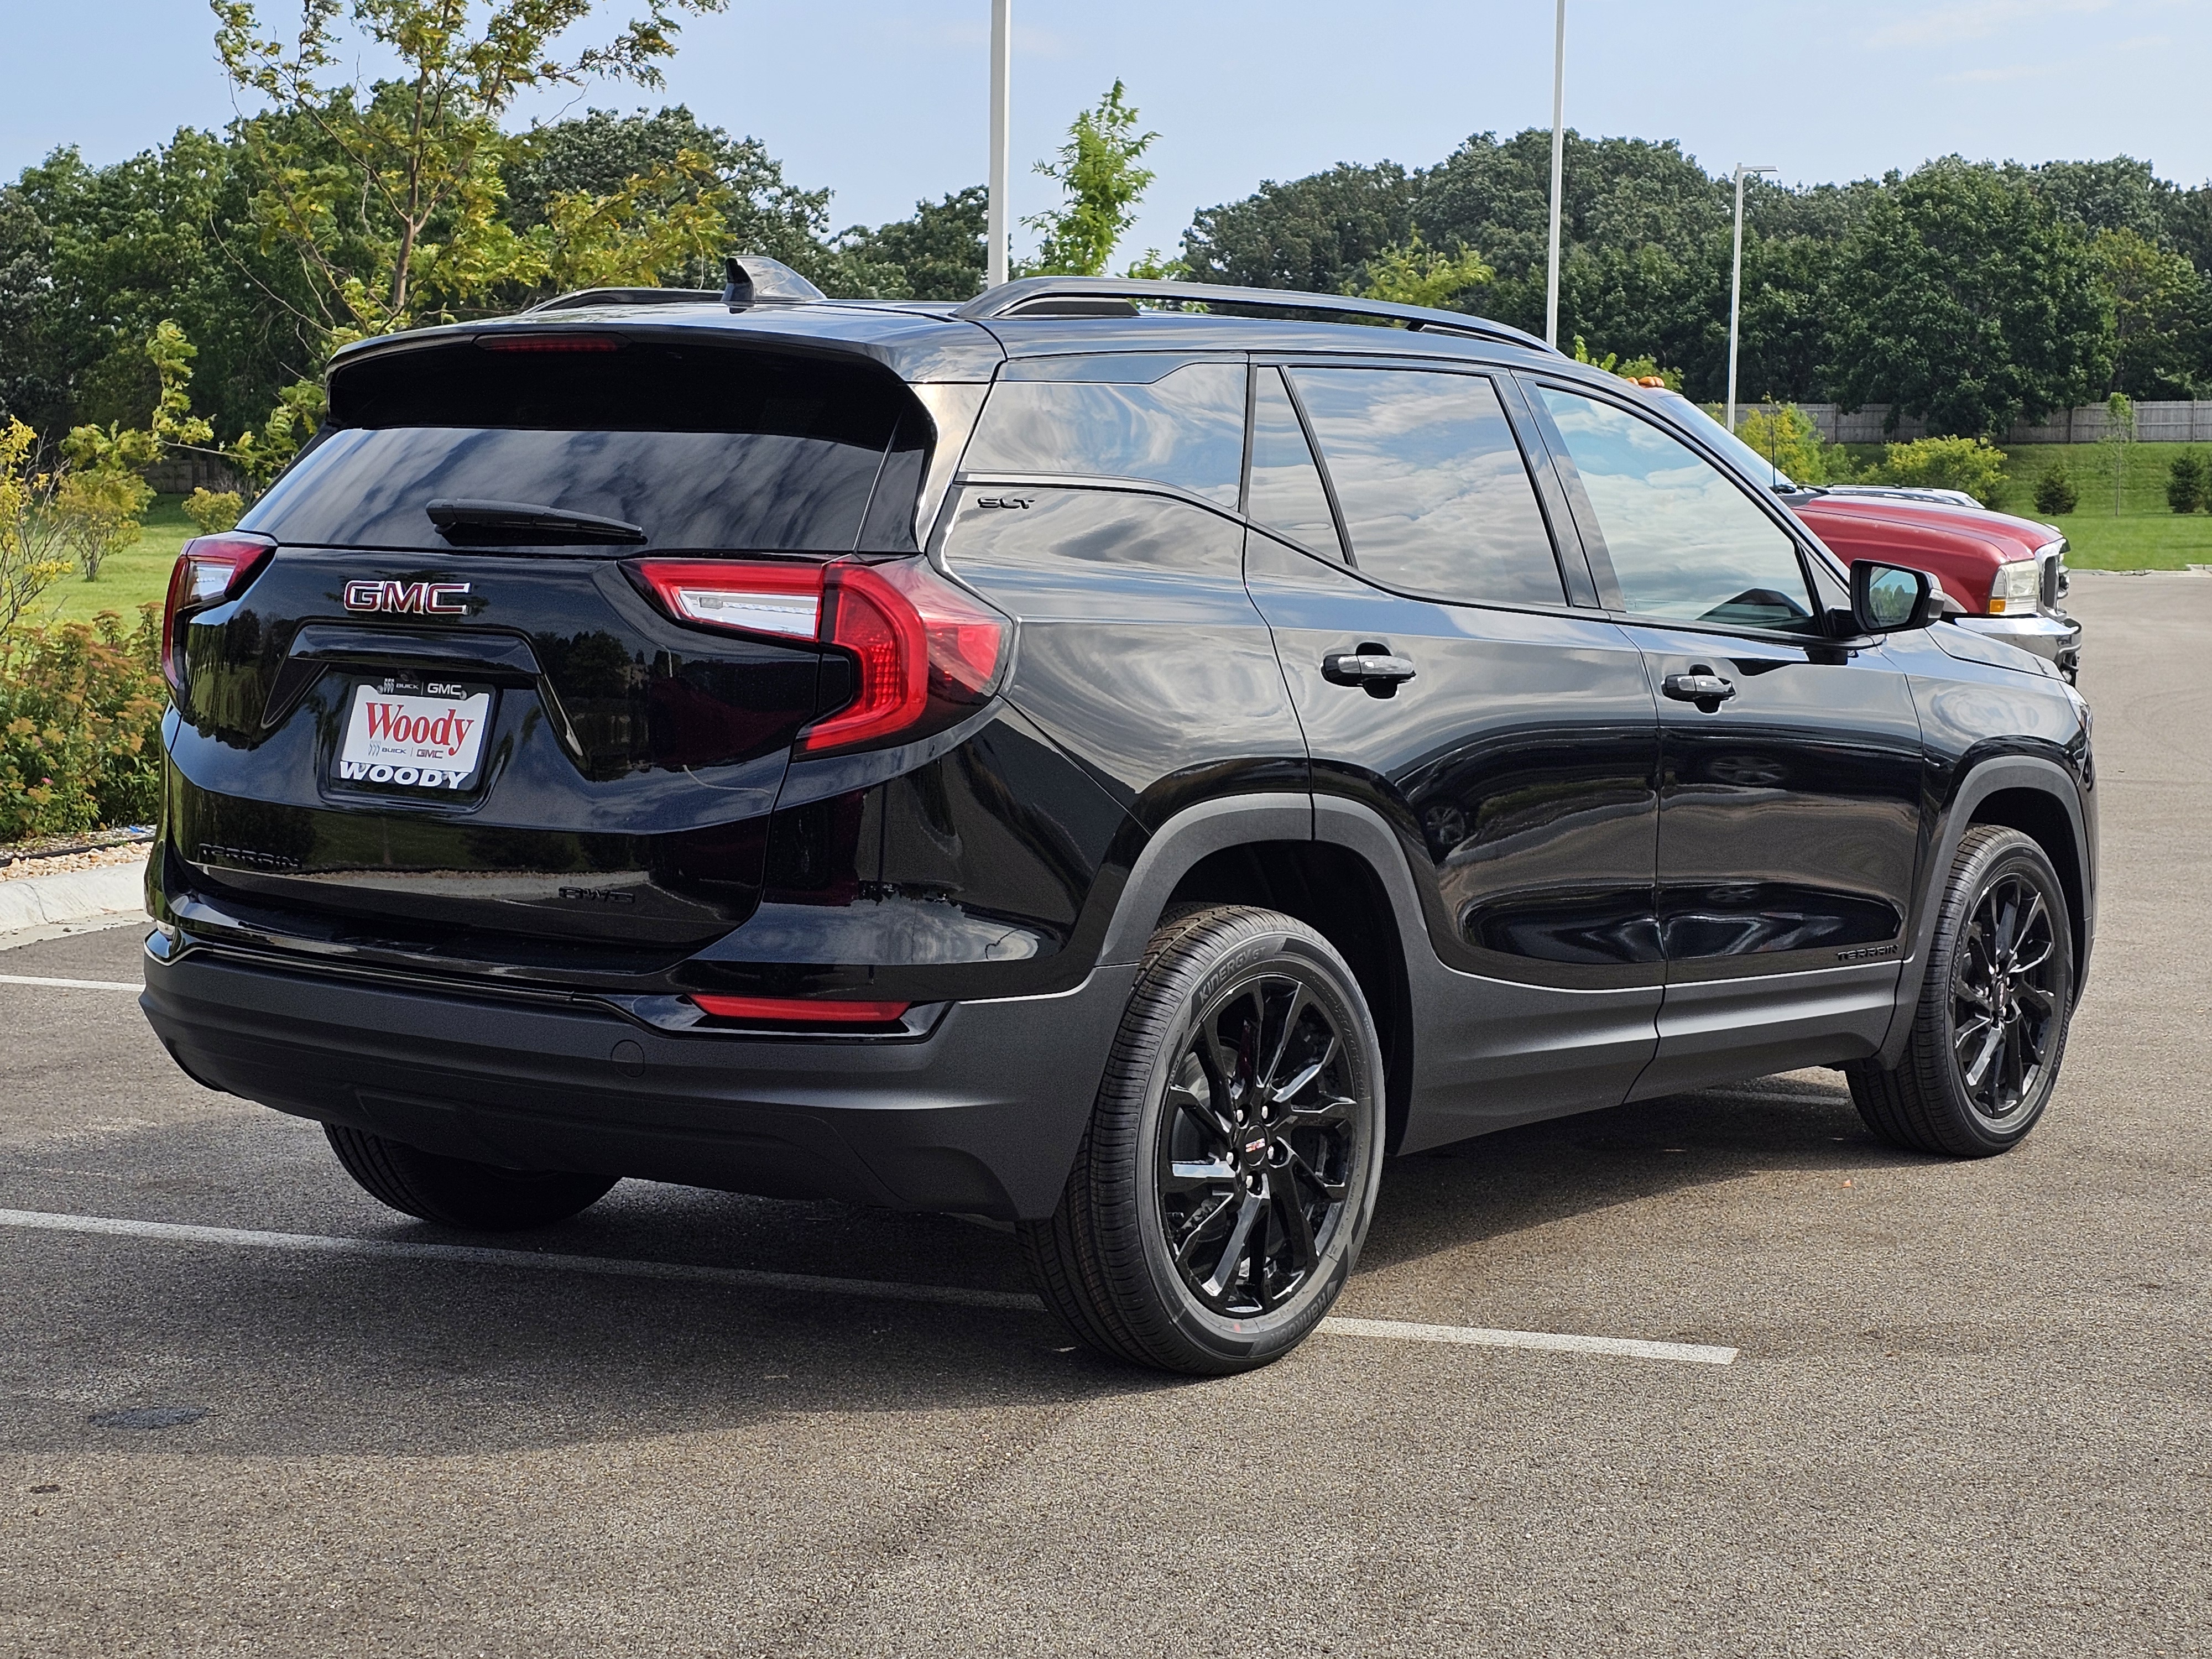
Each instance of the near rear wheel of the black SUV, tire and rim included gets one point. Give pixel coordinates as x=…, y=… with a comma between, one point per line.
x=1229, y=1173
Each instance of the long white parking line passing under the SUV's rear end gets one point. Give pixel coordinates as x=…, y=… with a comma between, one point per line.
x=815, y=1284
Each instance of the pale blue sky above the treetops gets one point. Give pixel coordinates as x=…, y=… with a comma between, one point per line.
x=886, y=103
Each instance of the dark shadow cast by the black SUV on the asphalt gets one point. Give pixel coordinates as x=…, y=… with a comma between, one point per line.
x=300, y=1353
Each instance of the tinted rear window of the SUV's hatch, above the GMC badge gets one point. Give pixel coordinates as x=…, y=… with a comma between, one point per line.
x=702, y=448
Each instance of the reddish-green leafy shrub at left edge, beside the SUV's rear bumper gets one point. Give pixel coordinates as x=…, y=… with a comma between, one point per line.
x=81, y=727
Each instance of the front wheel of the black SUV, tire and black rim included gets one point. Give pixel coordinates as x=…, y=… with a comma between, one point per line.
x=1990, y=1030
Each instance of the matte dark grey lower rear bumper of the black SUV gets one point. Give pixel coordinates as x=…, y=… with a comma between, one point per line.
x=979, y=1116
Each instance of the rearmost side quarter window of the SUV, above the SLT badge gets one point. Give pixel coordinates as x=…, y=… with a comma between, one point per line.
x=1185, y=428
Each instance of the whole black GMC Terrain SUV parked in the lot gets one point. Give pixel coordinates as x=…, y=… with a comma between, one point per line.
x=1112, y=758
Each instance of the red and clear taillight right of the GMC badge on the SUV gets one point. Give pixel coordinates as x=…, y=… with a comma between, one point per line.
x=924, y=651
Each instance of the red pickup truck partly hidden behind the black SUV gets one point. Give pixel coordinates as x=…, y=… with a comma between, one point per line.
x=2007, y=574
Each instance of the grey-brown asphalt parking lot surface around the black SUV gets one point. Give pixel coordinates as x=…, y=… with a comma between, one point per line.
x=1970, y=1410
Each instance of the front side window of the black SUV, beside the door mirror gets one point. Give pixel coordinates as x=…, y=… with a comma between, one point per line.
x=1684, y=541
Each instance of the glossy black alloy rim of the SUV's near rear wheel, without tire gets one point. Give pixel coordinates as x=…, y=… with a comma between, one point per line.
x=1255, y=1160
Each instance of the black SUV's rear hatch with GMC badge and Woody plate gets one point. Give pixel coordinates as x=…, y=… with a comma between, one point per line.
x=450, y=696
